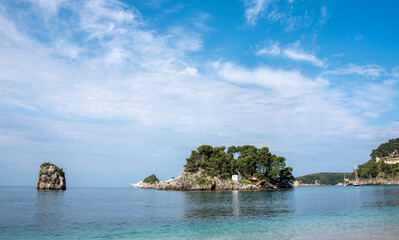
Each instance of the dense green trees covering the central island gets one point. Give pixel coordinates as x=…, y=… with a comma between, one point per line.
x=248, y=161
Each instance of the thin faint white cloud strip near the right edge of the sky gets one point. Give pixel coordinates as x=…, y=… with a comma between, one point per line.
x=370, y=70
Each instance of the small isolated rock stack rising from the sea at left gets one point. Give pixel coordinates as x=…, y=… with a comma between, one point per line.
x=51, y=177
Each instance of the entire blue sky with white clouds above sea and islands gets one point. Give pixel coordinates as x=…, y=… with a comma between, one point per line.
x=113, y=91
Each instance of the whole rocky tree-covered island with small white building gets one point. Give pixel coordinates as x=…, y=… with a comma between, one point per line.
x=235, y=168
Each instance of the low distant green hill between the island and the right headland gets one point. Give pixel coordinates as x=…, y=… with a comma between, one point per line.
x=324, y=178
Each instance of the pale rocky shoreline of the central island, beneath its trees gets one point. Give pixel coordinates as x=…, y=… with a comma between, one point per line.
x=199, y=181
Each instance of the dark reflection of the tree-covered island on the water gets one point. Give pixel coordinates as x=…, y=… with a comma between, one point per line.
x=238, y=204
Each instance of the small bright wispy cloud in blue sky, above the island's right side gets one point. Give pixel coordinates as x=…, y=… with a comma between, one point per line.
x=291, y=52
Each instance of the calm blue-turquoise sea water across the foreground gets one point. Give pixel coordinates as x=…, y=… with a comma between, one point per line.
x=330, y=212
